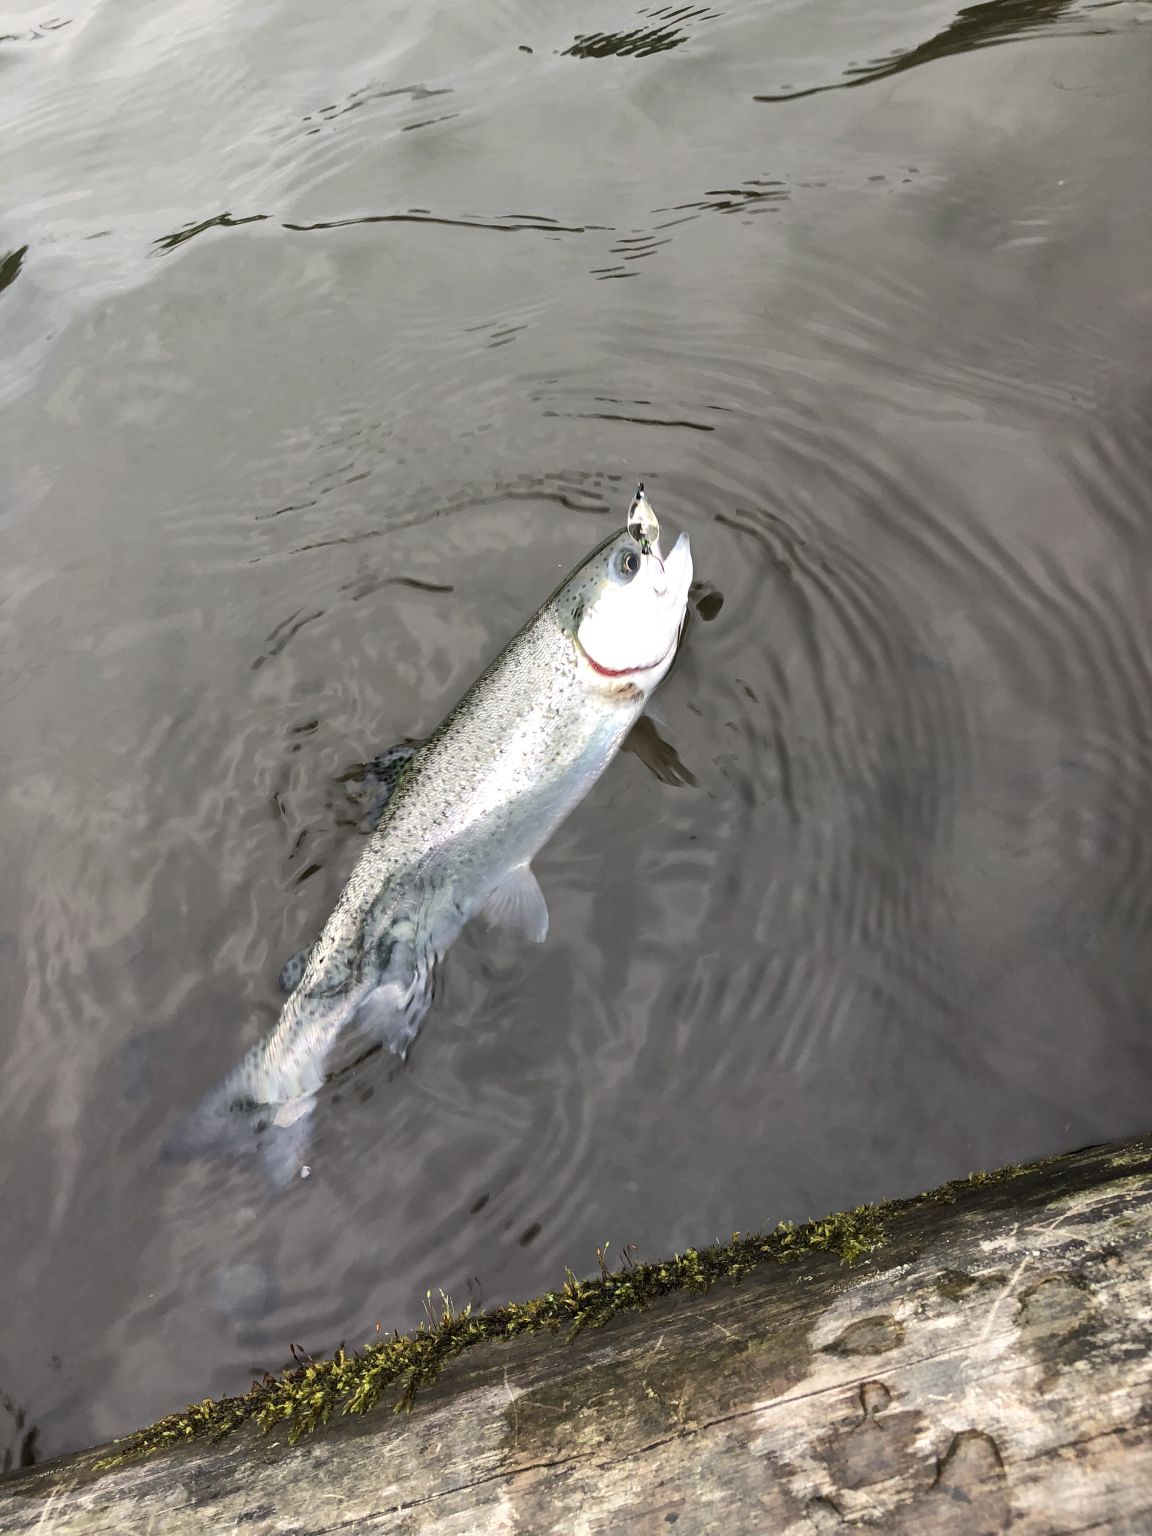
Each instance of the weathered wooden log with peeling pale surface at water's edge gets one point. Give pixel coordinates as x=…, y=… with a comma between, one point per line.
x=987, y=1366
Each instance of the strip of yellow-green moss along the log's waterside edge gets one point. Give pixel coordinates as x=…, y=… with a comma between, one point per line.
x=305, y=1397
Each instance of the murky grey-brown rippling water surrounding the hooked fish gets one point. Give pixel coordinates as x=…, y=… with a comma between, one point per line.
x=336, y=336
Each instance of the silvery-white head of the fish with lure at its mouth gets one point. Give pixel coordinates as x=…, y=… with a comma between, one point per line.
x=626, y=606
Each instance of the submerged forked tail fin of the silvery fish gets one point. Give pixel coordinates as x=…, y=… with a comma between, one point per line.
x=230, y=1125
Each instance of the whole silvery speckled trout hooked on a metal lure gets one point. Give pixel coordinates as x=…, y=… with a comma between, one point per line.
x=466, y=813
